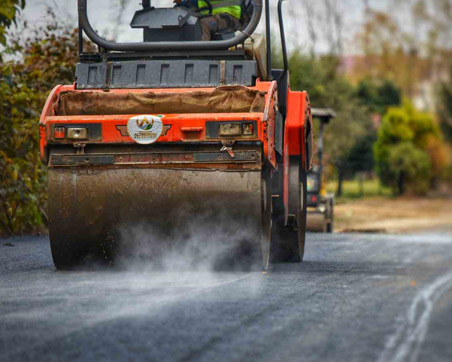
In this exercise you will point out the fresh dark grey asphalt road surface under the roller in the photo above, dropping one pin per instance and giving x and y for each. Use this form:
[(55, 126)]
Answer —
[(354, 298)]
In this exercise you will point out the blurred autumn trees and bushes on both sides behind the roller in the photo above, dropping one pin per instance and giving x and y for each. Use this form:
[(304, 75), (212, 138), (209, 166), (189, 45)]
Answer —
[(393, 99)]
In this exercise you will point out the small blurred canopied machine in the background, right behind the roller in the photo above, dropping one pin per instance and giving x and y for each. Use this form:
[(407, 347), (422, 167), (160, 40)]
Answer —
[(320, 203)]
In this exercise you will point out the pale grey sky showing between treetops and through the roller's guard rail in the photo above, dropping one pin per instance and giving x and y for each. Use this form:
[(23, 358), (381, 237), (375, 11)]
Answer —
[(103, 15)]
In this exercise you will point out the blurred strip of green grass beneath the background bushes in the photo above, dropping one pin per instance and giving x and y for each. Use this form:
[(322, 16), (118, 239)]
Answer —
[(351, 189)]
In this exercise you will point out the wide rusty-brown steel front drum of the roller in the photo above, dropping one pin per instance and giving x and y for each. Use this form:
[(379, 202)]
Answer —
[(95, 211)]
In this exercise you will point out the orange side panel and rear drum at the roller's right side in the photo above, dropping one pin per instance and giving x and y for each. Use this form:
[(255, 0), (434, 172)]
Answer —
[(288, 236)]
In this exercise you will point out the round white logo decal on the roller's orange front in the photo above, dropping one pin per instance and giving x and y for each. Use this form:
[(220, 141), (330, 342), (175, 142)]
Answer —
[(145, 129)]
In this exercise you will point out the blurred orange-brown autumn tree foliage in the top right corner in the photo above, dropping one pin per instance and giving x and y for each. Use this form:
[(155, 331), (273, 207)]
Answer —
[(410, 45)]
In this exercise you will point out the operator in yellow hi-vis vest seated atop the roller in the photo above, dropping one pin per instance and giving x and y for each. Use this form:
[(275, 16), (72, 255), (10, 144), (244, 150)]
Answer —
[(225, 15)]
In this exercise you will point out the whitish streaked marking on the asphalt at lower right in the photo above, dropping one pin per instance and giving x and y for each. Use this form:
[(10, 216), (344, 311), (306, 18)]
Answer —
[(405, 343)]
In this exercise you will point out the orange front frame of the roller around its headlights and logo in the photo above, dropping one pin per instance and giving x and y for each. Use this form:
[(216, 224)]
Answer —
[(184, 127)]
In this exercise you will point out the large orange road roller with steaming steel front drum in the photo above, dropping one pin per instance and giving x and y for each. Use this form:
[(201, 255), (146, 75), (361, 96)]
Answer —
[(174, 135)]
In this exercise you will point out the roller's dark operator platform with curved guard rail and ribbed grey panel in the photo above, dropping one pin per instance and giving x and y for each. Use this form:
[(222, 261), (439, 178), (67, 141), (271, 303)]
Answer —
[(172, 55)]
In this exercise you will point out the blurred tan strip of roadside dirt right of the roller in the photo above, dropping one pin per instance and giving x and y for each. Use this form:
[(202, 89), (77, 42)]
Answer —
[(404, 215)]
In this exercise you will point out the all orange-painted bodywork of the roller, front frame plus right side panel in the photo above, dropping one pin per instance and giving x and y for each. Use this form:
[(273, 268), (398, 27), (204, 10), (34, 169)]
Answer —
[(189, 128)]
